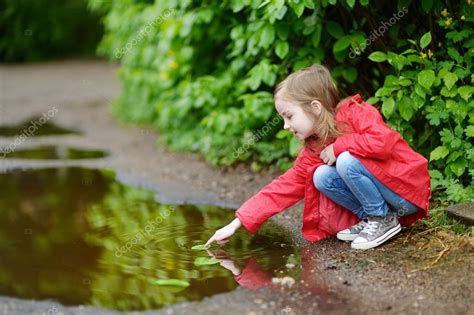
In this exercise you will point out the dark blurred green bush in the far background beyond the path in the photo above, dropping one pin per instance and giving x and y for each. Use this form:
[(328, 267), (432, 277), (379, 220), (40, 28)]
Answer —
[(46, 29)]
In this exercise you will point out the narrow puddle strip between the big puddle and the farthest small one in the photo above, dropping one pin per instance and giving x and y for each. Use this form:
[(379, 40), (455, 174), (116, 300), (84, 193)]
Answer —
[(50, 152)]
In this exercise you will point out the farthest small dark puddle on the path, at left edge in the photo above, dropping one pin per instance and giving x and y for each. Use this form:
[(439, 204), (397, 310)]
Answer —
[(35, 126)]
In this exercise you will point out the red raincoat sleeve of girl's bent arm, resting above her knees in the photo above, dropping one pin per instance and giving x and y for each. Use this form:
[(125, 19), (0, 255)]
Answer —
[(371, 136)]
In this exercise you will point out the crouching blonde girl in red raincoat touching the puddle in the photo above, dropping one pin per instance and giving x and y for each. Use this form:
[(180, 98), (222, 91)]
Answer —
[(358, 177)]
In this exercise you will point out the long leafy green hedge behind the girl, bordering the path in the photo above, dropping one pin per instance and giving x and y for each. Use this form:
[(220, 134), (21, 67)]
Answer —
[(203, 72)]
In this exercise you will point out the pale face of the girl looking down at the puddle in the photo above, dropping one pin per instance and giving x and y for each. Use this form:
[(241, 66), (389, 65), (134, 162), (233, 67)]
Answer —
[(296, 120)]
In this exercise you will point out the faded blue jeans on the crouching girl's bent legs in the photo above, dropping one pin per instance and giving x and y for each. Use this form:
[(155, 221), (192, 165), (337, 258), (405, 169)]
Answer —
[(352, 186)]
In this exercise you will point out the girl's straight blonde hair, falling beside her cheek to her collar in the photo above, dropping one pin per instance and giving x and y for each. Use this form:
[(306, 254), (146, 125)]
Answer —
[(309, 84)]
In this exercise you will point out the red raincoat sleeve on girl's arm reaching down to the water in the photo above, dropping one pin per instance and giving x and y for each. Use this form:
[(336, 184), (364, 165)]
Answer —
[(275, 197)]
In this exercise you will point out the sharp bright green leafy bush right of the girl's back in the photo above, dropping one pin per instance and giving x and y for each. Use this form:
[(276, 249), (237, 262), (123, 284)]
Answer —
[(428, 98)]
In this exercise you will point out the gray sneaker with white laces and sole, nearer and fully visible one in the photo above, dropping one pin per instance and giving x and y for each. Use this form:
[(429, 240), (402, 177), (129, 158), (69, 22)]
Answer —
[(377, 231)]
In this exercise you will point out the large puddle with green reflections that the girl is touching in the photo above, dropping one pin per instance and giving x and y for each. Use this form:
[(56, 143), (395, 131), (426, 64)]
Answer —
[(80, 237)]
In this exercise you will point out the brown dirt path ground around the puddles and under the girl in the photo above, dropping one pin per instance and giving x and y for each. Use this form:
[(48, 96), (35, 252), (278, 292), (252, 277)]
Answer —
[(421, 271)]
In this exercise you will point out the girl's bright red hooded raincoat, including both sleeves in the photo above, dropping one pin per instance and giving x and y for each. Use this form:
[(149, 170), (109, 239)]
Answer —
[(378, 147)]
